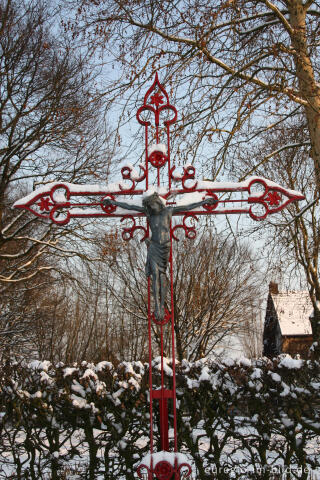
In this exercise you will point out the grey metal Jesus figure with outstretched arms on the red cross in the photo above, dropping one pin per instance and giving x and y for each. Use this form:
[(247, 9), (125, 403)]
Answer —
[(159, 218)]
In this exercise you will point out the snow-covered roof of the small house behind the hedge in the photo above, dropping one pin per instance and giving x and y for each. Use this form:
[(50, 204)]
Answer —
[(293, 310)]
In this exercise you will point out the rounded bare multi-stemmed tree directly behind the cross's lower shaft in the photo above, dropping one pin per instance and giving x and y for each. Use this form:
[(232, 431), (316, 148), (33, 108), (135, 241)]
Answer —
[(215, 280)]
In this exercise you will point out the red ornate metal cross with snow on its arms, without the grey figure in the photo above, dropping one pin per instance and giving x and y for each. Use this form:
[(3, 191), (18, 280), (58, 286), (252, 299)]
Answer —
[(60, 202)]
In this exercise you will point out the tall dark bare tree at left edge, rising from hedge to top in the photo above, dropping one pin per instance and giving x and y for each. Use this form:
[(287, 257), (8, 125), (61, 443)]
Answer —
[(51, 128)]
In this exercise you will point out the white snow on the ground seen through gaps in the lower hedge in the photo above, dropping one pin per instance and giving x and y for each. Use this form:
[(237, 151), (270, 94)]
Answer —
[(235, 460)]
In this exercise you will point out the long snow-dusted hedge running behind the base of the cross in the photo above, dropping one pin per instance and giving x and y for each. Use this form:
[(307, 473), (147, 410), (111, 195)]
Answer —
[(236, 419)]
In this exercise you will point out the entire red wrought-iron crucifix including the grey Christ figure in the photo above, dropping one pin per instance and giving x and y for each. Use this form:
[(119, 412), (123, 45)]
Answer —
[(157, 193)]
